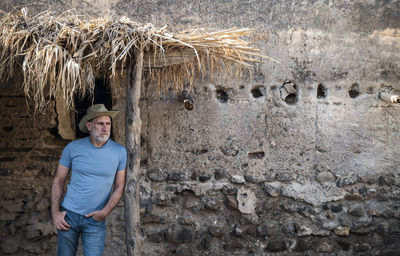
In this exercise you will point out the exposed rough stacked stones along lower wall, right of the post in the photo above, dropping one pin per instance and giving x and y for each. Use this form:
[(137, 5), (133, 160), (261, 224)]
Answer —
[(214, 213)]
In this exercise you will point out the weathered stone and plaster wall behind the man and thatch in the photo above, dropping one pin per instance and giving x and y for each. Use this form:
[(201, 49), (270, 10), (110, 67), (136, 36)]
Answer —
[(300, 157)]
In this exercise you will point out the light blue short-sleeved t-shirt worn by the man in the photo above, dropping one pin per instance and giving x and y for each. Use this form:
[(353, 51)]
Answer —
[(93, 172)]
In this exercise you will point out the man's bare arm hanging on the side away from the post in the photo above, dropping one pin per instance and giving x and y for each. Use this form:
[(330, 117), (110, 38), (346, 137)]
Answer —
[(57, 190)]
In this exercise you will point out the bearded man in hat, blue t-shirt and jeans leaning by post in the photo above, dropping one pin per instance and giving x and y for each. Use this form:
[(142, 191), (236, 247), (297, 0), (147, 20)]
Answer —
[(96, 163)]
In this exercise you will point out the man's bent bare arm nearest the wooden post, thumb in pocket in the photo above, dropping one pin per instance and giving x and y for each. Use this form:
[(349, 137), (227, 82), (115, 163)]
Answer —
[(116, 195)]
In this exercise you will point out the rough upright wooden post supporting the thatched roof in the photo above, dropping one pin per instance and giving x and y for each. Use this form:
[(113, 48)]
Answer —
[(133, 125)]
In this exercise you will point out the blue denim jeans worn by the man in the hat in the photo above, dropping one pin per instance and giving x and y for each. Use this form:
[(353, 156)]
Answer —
[(93, 235)]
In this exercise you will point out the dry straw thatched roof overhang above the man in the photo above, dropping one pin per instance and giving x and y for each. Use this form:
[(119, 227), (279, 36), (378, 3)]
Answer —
[(67, 52)]
